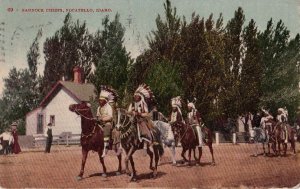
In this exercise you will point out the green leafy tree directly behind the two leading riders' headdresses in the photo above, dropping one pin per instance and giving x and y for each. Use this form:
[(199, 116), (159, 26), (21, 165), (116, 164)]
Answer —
[(111, 58)]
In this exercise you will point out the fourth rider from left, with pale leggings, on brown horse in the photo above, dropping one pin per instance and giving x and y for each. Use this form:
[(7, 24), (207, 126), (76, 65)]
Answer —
[(194, 120)]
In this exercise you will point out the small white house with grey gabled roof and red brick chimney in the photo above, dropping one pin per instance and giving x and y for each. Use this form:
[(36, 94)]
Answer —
[(54, 107)]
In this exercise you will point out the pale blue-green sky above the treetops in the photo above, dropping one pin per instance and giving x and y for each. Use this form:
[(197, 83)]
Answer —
[(18, 29)]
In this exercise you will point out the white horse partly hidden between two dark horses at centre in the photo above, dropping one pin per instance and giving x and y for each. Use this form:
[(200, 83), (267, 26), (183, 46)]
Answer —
[(167, 137)]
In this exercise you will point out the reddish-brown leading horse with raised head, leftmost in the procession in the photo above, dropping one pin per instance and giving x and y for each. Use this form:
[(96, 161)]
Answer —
[(91, 136)]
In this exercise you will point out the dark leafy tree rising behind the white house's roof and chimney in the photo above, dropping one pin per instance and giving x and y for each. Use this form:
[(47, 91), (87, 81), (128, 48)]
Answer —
[(70, 46)]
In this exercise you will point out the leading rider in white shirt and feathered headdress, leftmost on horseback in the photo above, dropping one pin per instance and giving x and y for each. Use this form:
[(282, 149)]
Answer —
[(105, 116)]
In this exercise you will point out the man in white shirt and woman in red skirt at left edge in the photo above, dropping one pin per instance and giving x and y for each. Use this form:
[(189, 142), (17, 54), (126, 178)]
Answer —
[(9, 140)]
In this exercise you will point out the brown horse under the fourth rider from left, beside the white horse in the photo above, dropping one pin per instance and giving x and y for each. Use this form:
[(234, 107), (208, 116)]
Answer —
[(186, 135)]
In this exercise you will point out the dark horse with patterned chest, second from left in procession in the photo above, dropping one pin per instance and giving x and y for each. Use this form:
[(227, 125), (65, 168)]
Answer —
[(130, 143)]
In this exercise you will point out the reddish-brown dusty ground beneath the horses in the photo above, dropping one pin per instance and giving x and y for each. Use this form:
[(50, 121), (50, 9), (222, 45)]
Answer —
[(234, 168)]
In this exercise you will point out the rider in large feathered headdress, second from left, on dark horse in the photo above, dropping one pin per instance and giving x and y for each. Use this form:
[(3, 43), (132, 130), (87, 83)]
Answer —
[(140, 109)]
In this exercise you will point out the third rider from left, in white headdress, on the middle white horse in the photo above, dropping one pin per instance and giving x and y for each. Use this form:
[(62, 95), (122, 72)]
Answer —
[(176, 115)]
